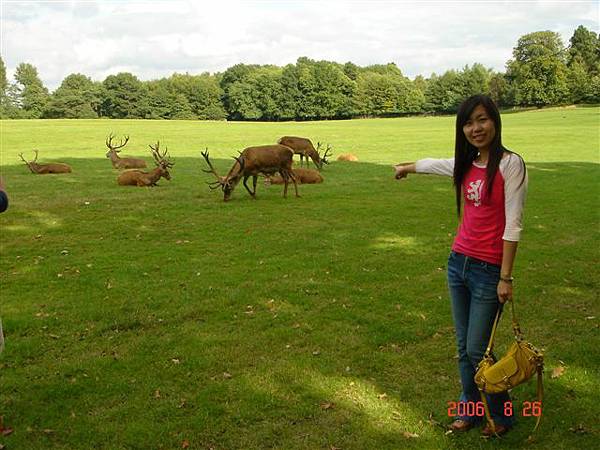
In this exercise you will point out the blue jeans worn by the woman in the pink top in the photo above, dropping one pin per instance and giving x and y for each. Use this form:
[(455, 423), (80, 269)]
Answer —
[(473, 285)]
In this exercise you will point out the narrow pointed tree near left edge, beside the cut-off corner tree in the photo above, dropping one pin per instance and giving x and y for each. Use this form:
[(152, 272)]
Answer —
[(30, 94)]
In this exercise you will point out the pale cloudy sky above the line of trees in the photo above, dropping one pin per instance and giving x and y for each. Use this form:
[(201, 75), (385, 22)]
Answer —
[(154, 39)]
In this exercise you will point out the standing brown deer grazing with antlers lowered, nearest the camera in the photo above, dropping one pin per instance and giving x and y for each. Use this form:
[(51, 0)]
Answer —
[(262, 159)]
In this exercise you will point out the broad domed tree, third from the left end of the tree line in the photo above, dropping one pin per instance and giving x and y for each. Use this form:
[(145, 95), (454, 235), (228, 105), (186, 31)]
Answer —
[(78, 97)]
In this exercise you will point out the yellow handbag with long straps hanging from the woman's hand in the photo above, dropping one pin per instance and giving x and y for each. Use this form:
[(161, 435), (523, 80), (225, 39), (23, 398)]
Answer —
[(521, 362)]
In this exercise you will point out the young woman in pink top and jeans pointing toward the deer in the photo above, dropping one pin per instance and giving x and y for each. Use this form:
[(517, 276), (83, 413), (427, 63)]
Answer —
[(490, 183)]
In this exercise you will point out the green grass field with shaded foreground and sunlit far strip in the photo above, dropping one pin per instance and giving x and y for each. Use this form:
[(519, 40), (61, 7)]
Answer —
[(165, 318)]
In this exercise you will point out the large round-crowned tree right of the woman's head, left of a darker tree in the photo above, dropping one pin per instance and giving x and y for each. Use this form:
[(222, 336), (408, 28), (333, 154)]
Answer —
[(538, 70)]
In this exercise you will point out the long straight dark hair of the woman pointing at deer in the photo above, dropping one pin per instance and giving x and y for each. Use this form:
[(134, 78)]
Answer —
[(465, 153)]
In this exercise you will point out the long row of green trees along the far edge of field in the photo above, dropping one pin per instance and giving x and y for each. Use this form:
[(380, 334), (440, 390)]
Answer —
[(541, 72)]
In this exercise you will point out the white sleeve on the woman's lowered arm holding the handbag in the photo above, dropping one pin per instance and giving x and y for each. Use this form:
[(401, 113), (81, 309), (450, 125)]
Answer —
[(514, 173)]
